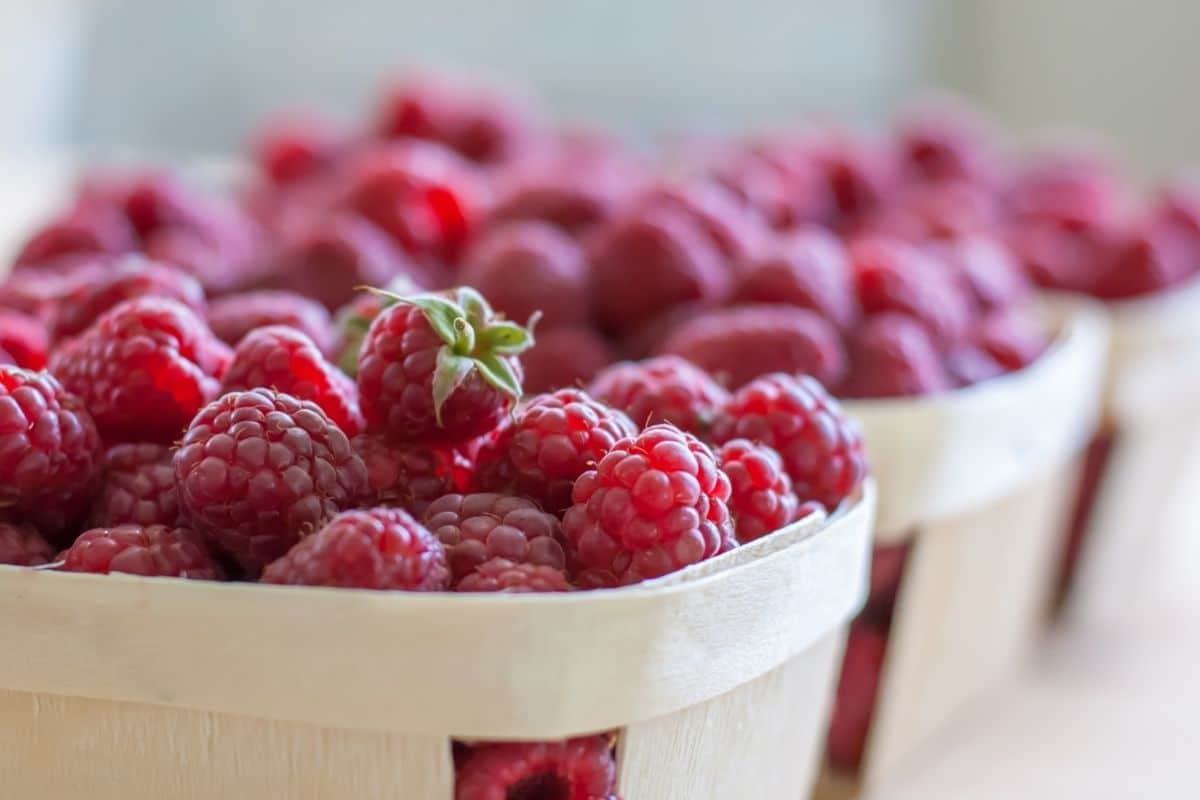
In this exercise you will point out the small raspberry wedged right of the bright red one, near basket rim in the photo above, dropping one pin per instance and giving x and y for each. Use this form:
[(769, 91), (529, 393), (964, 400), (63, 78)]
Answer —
[(763, 500)]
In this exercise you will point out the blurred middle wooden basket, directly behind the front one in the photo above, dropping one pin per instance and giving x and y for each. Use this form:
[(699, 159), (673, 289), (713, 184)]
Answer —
[(975, 489)]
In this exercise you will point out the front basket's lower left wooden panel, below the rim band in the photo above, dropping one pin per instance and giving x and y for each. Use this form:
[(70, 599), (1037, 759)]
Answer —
[(76, 749)]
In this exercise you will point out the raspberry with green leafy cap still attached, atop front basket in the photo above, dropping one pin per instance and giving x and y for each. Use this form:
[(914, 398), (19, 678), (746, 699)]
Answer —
[(440, 368)]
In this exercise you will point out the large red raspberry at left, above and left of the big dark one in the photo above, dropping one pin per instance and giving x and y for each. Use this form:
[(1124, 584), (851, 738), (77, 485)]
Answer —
[(143, 370)]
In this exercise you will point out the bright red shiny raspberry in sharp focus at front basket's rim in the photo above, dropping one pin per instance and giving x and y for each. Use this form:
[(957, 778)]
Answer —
[(655, 504)]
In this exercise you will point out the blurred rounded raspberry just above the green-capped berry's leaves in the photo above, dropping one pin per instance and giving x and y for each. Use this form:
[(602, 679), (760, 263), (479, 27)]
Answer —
[(530, 268)]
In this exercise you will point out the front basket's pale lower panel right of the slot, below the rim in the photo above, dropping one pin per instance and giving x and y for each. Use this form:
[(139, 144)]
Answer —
[(761, 741)]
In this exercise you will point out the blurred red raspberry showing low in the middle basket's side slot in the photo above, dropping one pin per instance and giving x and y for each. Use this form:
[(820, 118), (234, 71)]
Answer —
[(857, 689)]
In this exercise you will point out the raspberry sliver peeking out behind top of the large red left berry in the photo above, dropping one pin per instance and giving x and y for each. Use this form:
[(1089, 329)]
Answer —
[(129, 279)]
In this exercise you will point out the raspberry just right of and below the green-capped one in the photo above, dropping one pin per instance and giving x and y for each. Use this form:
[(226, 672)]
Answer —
[(554, 440)]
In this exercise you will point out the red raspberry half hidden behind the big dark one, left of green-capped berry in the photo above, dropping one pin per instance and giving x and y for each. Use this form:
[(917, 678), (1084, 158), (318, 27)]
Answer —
[(286, 360)]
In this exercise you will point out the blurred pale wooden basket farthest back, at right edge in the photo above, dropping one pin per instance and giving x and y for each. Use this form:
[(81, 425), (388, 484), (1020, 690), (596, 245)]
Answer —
[(1153, 412)]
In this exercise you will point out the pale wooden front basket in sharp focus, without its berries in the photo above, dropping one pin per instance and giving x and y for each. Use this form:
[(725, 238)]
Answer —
[(717, 679)]
